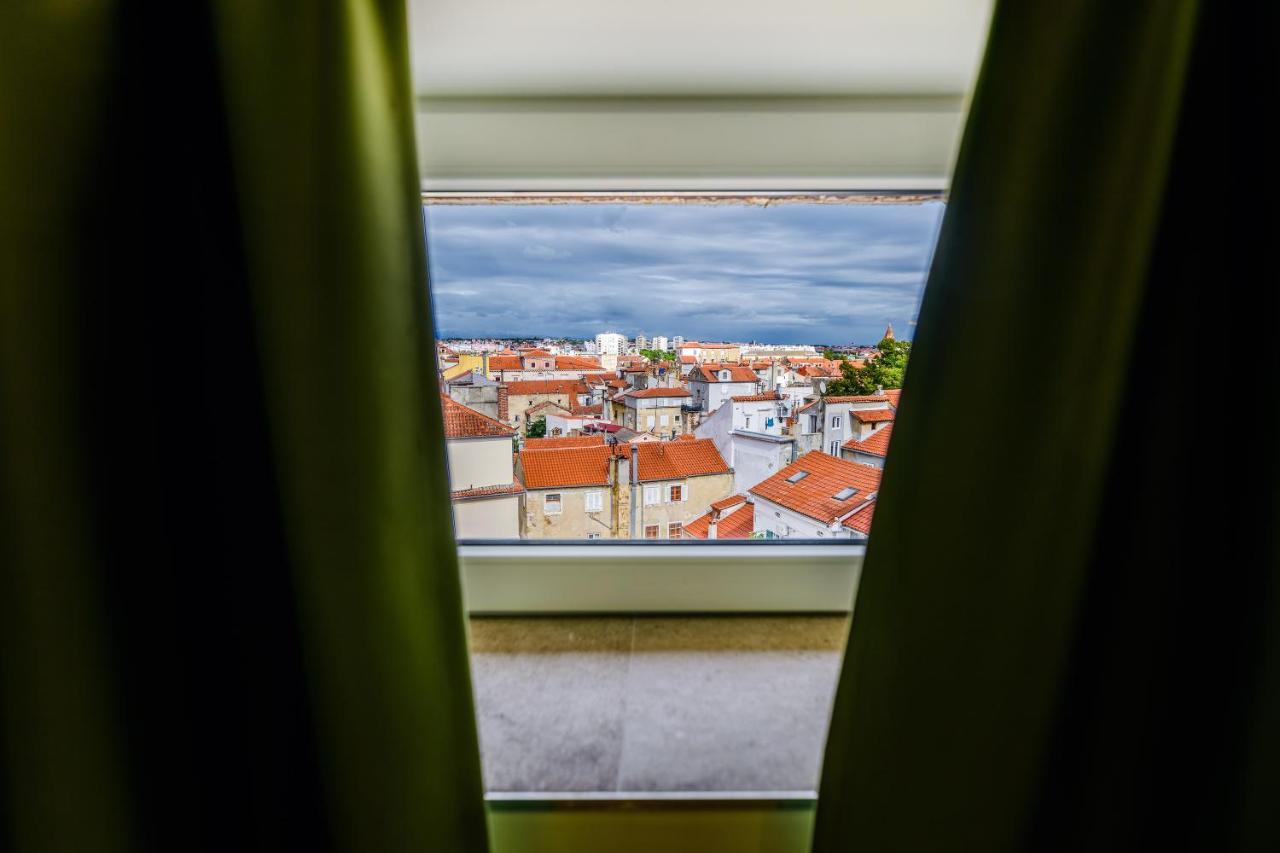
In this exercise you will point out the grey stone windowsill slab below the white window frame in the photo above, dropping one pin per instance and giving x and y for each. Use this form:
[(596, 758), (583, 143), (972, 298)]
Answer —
[(639, 709)]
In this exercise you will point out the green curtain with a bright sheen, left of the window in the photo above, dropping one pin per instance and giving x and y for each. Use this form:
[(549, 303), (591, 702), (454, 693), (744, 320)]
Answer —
[(230, 606)]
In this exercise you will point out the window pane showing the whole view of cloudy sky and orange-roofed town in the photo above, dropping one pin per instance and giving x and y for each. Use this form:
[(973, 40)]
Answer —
[(633, 370)]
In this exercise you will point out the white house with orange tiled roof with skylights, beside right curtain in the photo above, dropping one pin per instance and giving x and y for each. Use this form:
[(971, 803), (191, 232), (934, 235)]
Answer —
[(817, 498)]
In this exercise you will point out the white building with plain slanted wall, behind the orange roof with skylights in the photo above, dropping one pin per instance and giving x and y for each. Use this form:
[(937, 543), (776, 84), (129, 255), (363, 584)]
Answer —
[(749, 436)]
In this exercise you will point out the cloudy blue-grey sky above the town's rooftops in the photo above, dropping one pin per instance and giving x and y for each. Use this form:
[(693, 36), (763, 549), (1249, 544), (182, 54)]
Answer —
[(783, 275)]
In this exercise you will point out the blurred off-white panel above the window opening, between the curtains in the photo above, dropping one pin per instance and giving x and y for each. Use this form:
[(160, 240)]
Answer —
[(666, 94)]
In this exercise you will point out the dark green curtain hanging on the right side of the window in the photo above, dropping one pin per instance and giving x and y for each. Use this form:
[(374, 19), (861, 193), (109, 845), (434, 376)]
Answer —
[(1067, 631)]
